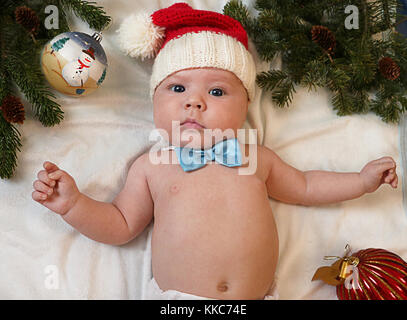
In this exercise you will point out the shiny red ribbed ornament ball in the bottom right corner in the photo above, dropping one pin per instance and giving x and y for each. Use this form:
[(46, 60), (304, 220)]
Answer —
[(382, 275)]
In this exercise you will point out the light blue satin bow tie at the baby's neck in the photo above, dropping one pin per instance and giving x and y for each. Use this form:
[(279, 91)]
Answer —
[(226, 152)]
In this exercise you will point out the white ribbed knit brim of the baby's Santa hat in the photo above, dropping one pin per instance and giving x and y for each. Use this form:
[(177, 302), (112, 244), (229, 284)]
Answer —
[(204, 49)]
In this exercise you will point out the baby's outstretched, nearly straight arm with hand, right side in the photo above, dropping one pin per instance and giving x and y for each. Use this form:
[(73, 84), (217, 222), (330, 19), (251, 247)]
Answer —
[(317, 187)]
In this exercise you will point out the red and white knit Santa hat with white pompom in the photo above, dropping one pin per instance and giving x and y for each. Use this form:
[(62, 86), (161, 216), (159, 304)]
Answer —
[(180, 37)]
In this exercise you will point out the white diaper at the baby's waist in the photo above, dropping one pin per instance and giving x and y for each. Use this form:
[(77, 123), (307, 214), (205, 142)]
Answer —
[(153, 292)]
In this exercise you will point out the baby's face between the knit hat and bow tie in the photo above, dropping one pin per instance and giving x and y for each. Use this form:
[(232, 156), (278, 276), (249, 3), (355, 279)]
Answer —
[(213, 98)]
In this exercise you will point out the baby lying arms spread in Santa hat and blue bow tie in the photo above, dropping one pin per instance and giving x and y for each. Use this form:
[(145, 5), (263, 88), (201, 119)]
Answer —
[(214, 234)]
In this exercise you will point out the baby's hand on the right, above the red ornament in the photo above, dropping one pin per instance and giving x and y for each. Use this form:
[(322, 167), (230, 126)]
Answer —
[(377, 172)]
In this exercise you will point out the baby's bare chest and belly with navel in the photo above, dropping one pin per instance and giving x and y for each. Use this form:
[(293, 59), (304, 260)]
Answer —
[(219, 243)]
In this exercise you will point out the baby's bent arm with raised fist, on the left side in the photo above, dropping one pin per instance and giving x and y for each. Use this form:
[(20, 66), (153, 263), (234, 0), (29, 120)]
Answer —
[(113, 223)]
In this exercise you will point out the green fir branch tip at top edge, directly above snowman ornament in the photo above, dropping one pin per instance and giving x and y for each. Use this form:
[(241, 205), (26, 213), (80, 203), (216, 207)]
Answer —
[(88, 11)]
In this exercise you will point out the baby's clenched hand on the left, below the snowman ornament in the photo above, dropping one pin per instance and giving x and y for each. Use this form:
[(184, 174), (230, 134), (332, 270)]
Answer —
[(55, 189)]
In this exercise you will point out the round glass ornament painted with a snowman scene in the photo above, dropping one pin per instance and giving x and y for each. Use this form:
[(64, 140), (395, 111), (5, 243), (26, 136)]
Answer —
[(74, 63)]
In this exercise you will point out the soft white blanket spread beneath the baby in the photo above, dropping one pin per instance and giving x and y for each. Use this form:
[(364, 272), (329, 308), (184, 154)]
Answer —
[(42, 257)]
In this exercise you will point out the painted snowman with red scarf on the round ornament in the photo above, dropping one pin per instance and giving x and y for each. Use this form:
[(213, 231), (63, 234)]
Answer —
[(76, 72)]
